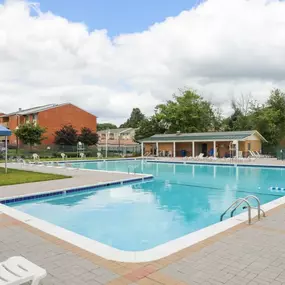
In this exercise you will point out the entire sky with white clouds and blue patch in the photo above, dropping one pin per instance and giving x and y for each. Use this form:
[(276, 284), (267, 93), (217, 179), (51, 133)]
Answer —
[(108, 65)]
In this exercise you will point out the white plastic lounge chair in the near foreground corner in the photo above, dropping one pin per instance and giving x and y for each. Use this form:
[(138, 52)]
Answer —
[(18, 270)]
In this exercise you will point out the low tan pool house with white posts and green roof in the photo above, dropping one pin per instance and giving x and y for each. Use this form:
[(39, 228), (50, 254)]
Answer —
[(215, 144)]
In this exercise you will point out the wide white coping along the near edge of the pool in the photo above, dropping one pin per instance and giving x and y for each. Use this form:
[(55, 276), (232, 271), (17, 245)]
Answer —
[(152, 254)]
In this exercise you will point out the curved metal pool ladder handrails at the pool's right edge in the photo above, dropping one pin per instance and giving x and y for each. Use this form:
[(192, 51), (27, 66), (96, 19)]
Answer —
[(237, 203)]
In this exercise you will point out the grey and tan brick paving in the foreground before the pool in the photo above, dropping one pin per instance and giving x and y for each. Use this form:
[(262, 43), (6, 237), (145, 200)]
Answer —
[(246, 254)]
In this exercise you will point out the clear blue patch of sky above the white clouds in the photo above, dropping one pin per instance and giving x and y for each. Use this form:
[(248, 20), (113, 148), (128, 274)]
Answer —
[(117, 17)]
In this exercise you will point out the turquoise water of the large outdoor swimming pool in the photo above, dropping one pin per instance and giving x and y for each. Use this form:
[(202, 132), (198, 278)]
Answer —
[(181, 199)]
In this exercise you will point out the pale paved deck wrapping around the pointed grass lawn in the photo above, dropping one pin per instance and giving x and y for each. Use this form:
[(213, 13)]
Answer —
[(79, 178)]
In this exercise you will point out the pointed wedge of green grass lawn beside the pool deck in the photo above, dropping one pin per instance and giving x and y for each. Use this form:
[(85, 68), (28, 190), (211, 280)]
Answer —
[(20, 176)]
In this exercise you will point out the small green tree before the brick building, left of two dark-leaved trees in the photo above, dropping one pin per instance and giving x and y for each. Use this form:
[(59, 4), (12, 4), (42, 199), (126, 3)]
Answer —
[(30, 134)]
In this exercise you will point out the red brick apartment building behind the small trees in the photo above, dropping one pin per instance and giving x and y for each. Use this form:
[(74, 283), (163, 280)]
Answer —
[(52, 117)]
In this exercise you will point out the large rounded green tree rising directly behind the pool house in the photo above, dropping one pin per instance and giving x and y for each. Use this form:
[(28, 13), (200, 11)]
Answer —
[(188, 113)]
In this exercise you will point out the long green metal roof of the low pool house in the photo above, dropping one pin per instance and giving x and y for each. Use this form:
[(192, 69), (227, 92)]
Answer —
[(227, 136)]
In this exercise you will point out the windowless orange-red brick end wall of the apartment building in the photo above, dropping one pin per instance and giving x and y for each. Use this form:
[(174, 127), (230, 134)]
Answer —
[(54, 119)]
